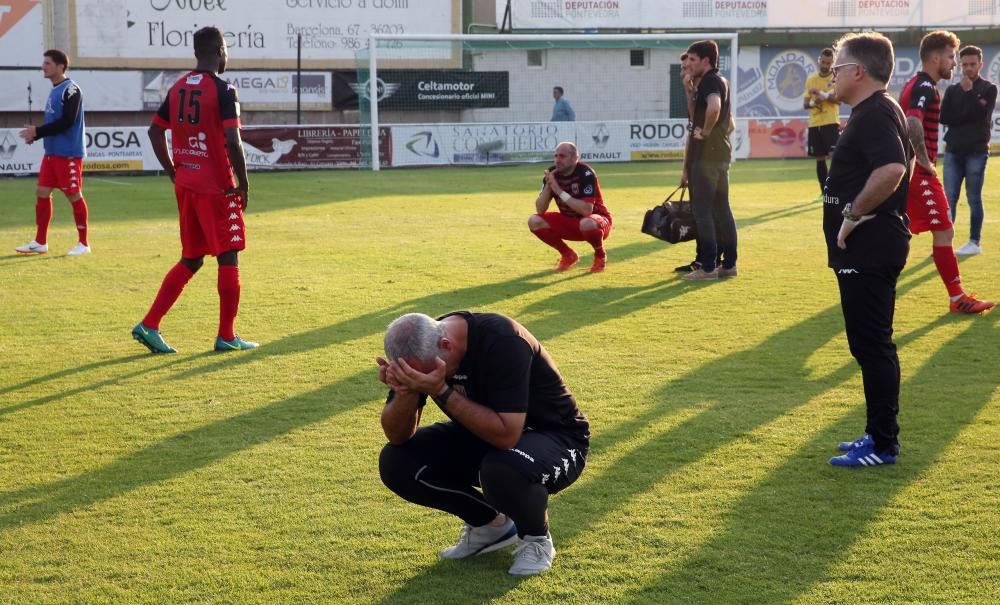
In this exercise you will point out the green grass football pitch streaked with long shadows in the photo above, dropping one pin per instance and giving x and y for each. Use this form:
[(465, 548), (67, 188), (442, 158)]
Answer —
[(252, 477)]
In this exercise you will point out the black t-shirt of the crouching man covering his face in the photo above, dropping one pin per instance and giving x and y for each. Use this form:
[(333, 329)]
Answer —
[(507, 370)]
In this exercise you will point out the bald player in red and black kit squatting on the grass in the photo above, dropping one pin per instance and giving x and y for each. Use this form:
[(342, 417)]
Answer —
[(582, 214)]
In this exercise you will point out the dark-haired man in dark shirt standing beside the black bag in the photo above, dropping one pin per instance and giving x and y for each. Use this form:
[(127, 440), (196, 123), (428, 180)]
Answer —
[(708, 154)]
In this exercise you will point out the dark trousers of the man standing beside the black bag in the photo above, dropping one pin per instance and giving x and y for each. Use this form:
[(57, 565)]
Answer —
[(709, 183)]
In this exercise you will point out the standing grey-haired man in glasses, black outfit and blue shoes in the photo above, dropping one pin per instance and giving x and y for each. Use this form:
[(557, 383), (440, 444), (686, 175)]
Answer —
[(865, 226)]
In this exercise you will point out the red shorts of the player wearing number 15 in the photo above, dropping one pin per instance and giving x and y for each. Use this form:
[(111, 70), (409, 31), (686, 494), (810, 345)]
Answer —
[(211, 223)]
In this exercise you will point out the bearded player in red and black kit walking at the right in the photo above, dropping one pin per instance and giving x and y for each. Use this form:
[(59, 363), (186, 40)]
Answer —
[(927, 205)]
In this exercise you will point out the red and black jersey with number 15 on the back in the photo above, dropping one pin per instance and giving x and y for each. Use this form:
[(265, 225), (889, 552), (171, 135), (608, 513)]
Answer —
[(198, 110)]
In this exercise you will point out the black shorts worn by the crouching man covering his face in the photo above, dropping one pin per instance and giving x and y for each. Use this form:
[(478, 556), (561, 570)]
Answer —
[(555, 460)]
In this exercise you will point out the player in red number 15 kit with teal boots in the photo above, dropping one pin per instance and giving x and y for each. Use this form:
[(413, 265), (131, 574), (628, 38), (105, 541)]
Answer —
[(202, 113)]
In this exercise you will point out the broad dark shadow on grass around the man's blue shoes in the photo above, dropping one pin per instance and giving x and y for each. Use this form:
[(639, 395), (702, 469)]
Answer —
[(779, 562)]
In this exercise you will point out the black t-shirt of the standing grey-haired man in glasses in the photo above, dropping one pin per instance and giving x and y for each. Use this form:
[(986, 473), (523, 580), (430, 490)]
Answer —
[(875, 136)]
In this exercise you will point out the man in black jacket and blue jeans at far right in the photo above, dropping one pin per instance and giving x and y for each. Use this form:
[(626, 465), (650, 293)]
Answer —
[(967, 111)]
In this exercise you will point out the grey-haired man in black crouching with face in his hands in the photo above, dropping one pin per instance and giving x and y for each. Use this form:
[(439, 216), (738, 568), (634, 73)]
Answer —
[(514, 430)]
